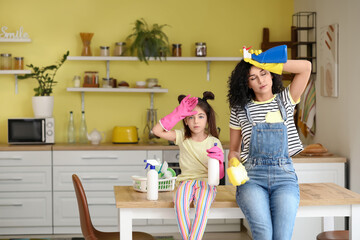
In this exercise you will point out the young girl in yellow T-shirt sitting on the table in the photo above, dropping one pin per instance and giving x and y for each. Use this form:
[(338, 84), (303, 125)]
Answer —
[(196, 143)]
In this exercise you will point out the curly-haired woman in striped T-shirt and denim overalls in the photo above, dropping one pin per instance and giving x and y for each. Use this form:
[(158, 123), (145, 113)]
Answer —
[(264, 137)]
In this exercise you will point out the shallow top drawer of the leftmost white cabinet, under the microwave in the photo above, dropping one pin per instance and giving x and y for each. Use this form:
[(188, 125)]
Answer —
[(25, 158)]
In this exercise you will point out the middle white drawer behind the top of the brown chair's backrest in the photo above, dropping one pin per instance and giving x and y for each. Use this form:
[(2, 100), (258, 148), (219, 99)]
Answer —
[(95, 177)]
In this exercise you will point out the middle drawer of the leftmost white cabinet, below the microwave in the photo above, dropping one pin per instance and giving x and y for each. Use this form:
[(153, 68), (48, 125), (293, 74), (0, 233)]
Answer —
[(14, 179)]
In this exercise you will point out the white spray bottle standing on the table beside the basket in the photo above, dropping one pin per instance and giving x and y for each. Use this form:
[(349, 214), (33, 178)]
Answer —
[(152, 182)]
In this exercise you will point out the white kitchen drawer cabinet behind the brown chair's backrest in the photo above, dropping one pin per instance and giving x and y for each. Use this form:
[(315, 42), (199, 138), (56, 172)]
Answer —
[(99, 172)]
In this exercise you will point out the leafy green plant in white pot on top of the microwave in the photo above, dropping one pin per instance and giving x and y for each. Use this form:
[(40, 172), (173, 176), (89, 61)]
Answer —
[(42, 101)]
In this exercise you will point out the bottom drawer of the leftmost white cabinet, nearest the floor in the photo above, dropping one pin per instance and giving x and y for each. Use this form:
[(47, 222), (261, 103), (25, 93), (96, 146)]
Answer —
[(25, 209)]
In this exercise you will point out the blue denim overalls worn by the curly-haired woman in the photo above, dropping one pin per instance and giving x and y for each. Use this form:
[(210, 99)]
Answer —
[(269, 200)]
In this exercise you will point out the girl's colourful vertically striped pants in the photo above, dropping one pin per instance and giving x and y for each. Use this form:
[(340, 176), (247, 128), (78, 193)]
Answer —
[(203, 195)]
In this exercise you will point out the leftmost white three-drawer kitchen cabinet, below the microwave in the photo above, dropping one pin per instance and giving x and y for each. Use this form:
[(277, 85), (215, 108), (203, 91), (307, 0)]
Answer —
[(25, 192)]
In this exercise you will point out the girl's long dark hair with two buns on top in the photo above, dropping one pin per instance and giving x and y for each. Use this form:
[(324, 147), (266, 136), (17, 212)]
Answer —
[(210, 114)]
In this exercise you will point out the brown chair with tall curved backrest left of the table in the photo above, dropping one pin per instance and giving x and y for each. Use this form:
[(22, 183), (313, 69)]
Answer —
[(87, 228)]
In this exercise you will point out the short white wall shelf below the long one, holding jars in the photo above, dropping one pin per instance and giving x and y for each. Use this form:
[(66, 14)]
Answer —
[(129, 90)]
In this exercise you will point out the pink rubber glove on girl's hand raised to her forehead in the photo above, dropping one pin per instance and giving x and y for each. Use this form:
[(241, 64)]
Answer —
[(182, 111)]
